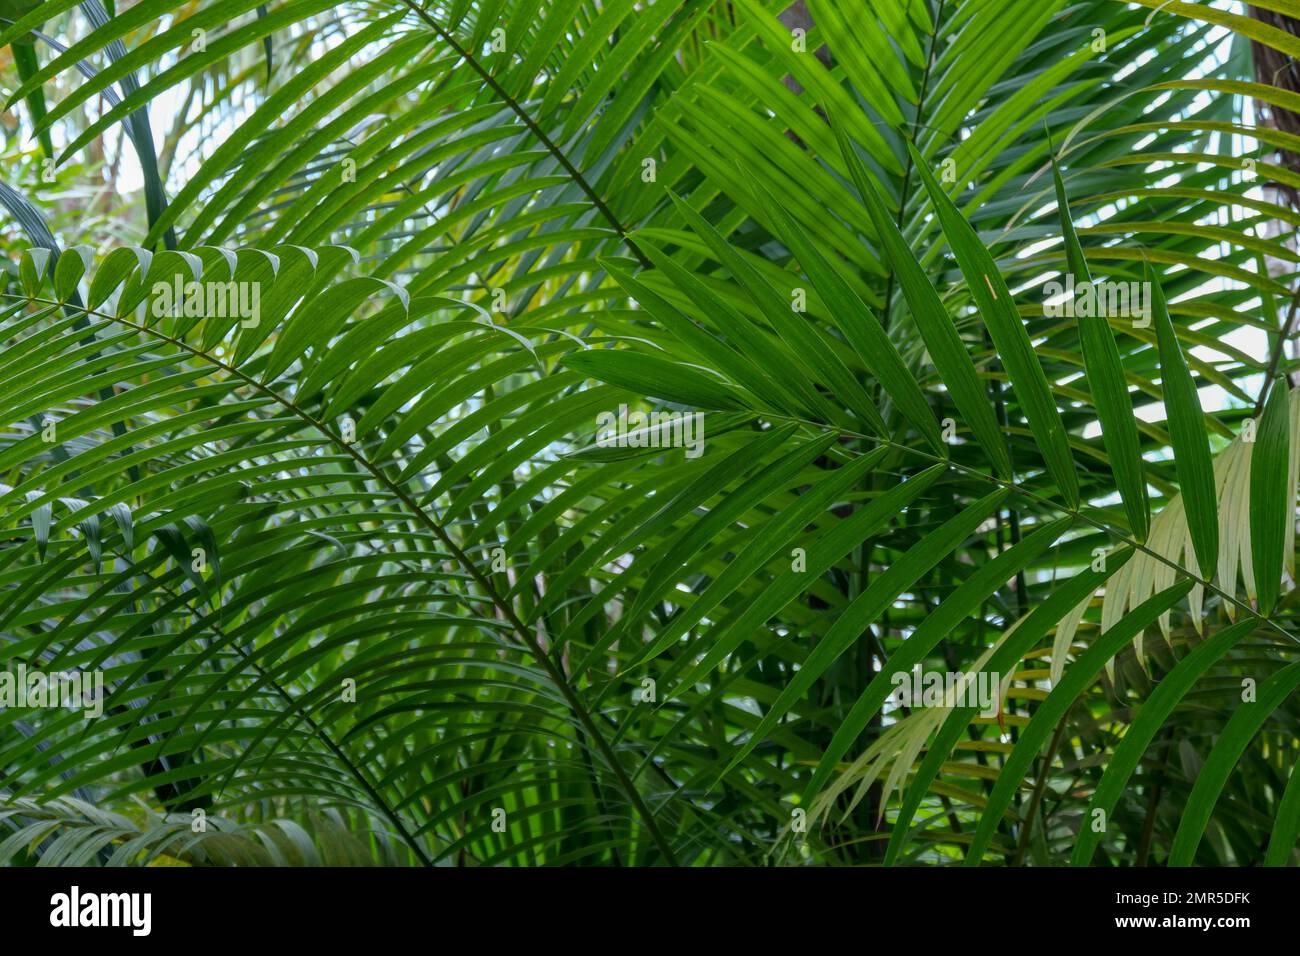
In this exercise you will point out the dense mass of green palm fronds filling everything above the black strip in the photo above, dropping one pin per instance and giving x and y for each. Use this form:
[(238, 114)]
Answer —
[(366, 579)]
